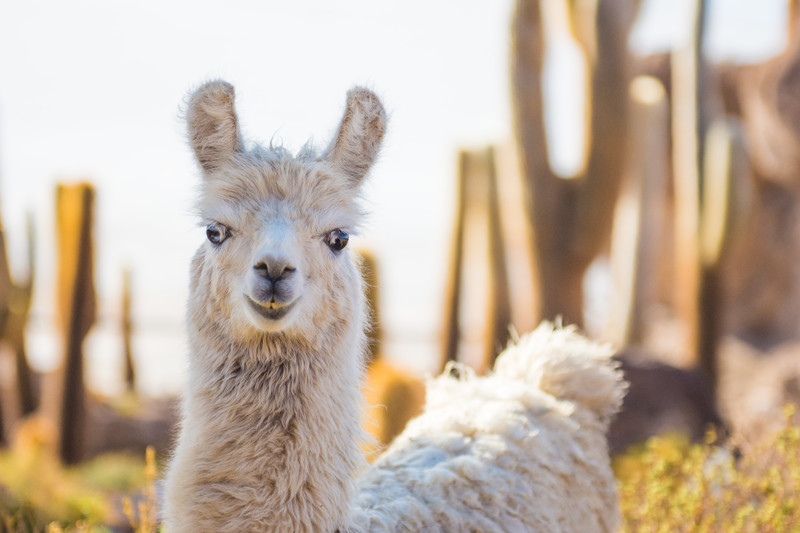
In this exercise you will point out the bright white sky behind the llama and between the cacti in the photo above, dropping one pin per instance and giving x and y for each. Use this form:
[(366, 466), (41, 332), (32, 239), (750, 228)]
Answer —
[(93, 90)]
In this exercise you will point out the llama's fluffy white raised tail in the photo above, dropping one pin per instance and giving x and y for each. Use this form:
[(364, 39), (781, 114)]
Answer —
[(561, 362)]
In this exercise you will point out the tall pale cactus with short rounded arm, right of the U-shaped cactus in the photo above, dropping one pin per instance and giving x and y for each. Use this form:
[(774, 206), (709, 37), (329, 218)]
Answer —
[(713, 193)]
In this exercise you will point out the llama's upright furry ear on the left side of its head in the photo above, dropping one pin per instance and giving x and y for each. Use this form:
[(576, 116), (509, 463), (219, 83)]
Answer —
[(213, 125)]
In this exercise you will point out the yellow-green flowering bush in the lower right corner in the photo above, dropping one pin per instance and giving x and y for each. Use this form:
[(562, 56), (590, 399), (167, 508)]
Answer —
[(669, 485)]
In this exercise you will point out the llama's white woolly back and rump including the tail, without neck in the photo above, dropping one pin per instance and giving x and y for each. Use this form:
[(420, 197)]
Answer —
[(523, 449)]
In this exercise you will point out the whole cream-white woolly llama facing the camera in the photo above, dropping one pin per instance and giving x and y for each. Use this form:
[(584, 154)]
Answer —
[(270, 435)]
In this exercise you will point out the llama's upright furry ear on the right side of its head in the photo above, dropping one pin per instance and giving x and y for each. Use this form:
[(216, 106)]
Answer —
[(358, 140)]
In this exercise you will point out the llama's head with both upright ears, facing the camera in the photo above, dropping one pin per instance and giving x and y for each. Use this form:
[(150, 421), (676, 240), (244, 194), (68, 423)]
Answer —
[(275, 258)]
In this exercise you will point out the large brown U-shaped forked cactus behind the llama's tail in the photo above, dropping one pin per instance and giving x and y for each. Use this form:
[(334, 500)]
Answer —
[(571, 218)]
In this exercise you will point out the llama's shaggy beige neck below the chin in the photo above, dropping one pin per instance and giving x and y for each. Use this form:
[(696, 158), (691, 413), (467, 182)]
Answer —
[(271, 433)]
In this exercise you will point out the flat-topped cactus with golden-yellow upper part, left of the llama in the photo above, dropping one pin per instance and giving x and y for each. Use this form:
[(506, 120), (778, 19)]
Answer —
[(76, 307)]
